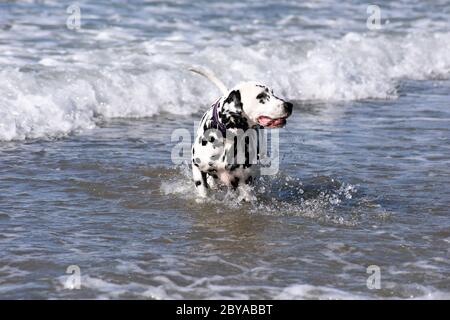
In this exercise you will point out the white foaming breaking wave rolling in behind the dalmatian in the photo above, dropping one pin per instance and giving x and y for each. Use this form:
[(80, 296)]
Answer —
[(68, 93)]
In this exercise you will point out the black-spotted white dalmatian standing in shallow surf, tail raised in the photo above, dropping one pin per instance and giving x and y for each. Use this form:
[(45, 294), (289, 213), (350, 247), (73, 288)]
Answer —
[(231, 124)]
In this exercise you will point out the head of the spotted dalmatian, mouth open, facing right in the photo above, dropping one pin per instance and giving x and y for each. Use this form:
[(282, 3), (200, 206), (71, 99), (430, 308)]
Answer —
[(254, 103)]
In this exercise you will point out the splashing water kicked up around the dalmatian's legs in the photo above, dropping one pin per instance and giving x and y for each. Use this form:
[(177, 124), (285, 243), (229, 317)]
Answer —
[(323, 199)]
